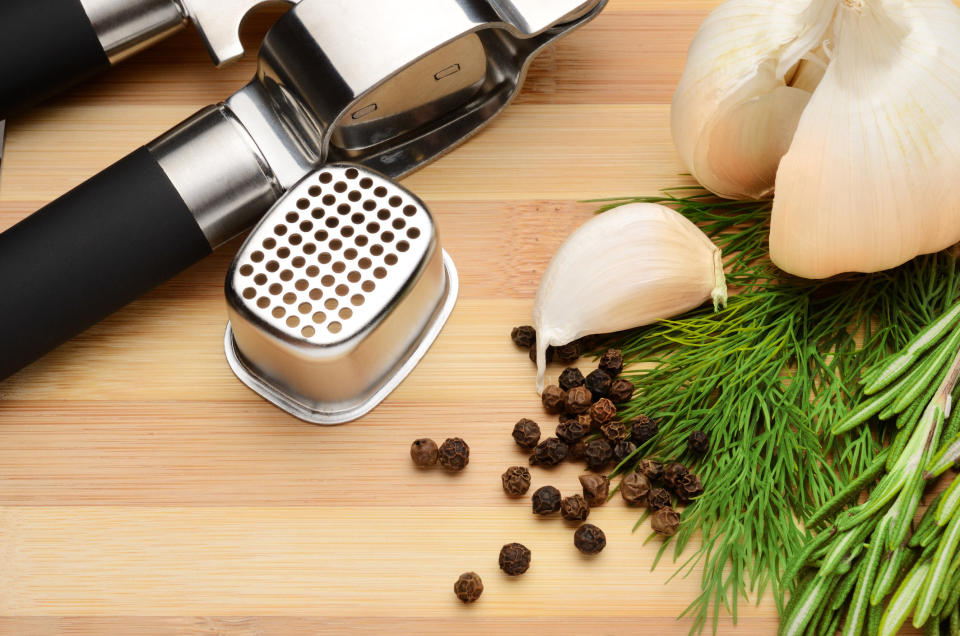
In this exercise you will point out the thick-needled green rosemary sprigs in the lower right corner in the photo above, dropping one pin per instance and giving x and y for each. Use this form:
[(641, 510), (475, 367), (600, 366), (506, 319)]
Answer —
[(917, 375)]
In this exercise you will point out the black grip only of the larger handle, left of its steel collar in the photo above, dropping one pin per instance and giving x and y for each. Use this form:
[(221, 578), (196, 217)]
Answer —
[(89, 253)]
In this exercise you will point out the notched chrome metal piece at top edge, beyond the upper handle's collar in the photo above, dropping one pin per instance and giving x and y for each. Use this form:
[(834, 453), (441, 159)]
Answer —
[(219, 24)]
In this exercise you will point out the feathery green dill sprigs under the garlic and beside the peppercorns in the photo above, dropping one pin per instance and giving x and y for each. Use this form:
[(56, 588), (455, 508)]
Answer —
[(765, 379)]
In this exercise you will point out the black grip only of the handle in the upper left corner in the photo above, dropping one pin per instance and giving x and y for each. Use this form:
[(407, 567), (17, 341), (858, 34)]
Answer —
[(46, 46)]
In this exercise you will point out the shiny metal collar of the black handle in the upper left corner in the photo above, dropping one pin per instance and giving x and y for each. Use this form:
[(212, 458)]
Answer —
[(126, 27)]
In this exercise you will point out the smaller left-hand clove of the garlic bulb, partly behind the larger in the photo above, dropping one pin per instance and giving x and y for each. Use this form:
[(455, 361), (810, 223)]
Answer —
[(734, 114)]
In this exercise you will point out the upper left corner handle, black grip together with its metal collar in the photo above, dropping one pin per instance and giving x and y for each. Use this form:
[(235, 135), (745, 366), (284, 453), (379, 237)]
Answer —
[(47, 46)]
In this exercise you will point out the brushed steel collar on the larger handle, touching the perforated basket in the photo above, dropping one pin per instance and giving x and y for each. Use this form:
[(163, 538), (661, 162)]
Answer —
[(218, 171)]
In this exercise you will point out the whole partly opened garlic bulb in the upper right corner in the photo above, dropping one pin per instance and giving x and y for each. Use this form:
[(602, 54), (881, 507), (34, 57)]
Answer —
[(848, 107)]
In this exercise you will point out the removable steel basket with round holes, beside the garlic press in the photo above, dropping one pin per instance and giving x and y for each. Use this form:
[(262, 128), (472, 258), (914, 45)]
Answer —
[(337, 294)]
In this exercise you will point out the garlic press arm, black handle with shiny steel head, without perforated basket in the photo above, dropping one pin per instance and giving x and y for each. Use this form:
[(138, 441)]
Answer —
[(387, 85)]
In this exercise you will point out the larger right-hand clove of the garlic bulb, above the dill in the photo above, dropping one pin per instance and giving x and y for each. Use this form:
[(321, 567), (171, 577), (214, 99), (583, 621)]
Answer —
[(872, 176)]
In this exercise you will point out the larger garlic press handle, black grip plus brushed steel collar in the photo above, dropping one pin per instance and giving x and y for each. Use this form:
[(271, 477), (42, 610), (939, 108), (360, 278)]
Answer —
[(125, 231)]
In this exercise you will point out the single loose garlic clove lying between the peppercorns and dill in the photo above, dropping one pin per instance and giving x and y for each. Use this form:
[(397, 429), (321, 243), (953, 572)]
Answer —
[(628, 267)]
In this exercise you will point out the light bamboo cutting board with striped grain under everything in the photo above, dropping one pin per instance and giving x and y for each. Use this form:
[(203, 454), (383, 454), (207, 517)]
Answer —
[(144, 490)]
